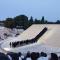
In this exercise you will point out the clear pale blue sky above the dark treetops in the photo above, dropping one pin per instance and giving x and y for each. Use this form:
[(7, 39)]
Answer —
[(50, 9)]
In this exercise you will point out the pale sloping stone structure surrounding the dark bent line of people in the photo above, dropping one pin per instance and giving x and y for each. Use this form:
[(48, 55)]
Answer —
[(48, 42)]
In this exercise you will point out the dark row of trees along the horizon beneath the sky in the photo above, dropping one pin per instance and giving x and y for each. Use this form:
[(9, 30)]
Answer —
[(22, 21)]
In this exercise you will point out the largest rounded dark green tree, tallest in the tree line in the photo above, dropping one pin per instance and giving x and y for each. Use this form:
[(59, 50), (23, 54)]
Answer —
[(21, 20)]
